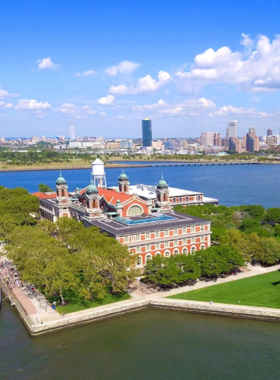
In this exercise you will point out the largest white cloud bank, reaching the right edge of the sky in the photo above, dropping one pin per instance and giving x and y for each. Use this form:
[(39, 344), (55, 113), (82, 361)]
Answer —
[(260, 71)]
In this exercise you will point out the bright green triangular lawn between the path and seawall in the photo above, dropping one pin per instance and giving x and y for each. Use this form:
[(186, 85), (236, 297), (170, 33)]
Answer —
[(262, 290)]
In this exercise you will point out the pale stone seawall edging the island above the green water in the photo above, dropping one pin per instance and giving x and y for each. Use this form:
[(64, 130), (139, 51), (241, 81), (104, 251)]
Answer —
[(130, 306)]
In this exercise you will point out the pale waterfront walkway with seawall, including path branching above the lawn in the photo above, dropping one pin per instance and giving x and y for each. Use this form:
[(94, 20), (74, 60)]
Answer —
[(40, 318)]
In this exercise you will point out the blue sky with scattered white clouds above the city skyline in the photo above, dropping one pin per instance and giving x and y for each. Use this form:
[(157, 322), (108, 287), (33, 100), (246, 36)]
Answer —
[(190, 66)]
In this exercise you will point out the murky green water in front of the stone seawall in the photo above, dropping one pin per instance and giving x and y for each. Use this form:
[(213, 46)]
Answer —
[(152, 344)]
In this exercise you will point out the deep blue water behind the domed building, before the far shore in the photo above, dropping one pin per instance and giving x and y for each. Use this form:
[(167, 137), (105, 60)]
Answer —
[(231, 184)]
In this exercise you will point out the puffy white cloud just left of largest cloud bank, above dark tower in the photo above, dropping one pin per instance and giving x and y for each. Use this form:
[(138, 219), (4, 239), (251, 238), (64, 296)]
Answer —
[(145, 85)]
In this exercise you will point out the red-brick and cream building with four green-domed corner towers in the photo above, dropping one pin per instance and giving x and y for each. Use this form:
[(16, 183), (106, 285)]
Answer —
[(148, 226)]
